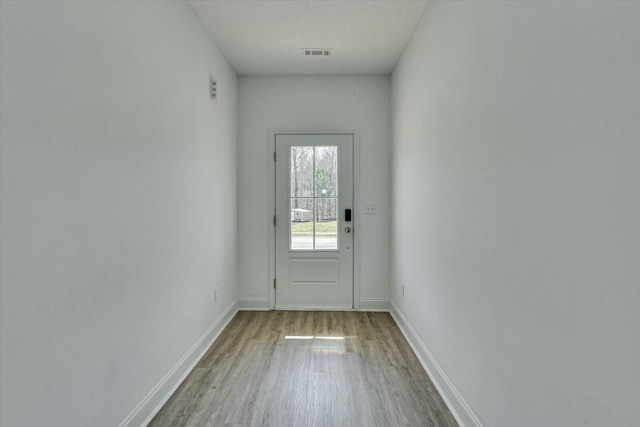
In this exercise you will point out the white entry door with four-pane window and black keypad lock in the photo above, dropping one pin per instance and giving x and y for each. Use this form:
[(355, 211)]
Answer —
[(314, 222)]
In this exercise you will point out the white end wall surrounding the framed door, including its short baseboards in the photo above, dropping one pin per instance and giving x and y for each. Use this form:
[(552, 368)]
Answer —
[(313, 103)]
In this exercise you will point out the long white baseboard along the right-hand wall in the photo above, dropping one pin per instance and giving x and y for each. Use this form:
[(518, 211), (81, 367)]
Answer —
[(456, 404)]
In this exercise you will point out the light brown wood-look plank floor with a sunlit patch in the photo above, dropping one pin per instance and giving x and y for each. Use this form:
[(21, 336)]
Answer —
[(253, 375)]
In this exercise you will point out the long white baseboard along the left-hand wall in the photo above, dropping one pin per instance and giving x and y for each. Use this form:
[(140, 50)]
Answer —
[(158, 396)]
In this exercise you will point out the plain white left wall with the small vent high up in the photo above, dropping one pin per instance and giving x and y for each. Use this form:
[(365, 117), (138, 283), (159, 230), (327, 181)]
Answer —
[(118, 190)]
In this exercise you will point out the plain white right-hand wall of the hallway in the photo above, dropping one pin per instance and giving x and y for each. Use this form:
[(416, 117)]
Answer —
[(516, 206)]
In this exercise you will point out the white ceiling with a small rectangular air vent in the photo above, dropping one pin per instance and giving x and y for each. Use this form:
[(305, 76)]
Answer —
[(267, 37)]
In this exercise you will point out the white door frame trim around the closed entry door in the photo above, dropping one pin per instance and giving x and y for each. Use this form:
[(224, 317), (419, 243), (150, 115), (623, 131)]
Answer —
[(272, 207)]
